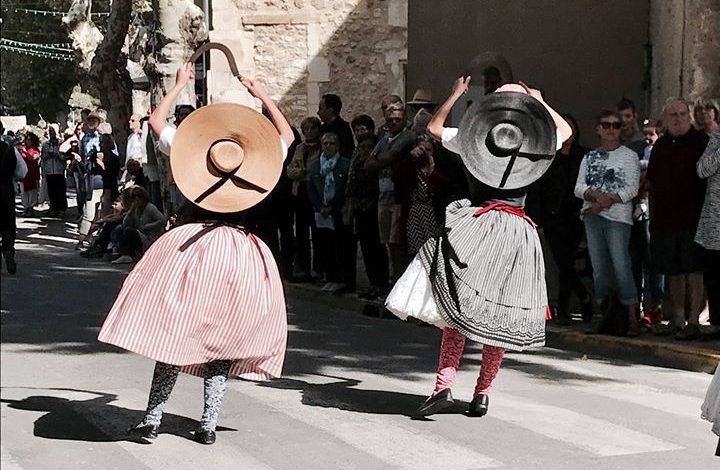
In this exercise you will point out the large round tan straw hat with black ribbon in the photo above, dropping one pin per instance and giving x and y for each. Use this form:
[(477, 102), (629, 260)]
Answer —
[(226, 157)]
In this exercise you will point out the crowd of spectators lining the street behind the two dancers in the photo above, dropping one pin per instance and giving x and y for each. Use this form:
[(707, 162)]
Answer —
[(644, 201)]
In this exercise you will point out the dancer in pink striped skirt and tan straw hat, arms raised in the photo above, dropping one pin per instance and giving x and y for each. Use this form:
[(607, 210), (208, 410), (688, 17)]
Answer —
[(207, 299)]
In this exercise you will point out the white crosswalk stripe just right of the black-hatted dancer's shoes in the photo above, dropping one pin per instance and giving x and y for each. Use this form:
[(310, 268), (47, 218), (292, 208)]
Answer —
[(591, 434)]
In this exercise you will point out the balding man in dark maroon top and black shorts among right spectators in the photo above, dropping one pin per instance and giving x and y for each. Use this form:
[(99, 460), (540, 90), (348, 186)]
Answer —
[(676, 199)]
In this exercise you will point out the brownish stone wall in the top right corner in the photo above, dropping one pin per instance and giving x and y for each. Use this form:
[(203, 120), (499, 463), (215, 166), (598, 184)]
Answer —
[(685, 38)]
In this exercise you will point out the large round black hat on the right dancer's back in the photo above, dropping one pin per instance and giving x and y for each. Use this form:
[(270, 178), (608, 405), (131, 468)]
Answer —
[(507, 139)]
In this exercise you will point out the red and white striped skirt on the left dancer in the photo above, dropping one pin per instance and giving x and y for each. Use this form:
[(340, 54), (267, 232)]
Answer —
[(220, 298)]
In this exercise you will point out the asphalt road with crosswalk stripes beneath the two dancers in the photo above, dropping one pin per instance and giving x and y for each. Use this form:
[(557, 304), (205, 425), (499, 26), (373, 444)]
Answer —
[(349, 388)]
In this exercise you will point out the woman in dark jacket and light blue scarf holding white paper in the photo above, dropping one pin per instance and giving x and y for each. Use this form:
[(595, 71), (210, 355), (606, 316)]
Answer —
[(326, 190)]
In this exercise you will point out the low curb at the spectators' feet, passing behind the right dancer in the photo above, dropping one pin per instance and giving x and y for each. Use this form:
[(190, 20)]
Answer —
[(636, 350)]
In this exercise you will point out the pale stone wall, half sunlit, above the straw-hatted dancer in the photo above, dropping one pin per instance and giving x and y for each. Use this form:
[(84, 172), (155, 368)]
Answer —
[(301, 49)]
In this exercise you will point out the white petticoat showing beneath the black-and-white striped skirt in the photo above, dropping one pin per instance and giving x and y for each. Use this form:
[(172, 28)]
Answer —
[(412, 296)]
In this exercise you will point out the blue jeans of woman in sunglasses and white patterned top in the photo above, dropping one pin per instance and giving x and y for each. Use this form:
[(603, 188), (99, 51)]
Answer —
[(609, 248)]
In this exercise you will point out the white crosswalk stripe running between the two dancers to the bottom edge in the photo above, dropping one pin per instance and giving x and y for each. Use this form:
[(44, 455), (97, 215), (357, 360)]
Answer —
[(384, 436)]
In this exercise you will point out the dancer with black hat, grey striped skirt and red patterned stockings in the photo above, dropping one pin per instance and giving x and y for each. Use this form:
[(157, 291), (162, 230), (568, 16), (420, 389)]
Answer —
[(483, 277)]
